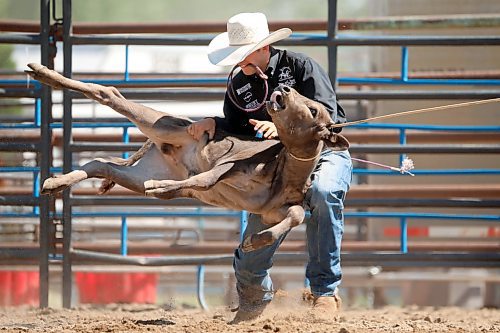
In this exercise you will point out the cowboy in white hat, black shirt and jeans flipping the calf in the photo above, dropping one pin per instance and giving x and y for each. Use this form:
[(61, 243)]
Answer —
[(262, 68)]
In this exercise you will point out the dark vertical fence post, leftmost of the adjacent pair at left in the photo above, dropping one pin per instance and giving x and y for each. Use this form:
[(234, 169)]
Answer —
[(45, 152)]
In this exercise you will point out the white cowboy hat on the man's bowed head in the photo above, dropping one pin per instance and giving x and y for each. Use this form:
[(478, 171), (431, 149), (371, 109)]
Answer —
[(246, 33)]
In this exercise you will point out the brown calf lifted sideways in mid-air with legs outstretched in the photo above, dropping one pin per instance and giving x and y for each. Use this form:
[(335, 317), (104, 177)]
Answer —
[(266, 177)]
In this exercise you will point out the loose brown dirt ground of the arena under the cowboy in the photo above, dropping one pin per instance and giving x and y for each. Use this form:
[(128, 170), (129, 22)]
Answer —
[(283, 317)]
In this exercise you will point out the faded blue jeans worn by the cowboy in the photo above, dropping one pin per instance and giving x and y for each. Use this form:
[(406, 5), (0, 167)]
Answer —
[(325, 200)]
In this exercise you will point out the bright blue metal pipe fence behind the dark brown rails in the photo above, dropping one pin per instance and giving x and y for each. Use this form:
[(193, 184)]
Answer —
[(402, 140)]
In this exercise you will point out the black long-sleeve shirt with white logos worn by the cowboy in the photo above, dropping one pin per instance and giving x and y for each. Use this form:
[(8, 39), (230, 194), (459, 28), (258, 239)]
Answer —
[(293, 69)]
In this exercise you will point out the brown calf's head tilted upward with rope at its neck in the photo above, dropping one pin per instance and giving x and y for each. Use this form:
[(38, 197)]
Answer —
[(302, 122)]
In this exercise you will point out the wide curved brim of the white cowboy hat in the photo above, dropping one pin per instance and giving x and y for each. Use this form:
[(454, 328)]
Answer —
[(220, 53)]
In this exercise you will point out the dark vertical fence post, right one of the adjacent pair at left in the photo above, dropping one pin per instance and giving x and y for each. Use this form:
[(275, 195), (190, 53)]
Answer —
[(67, 157)]
